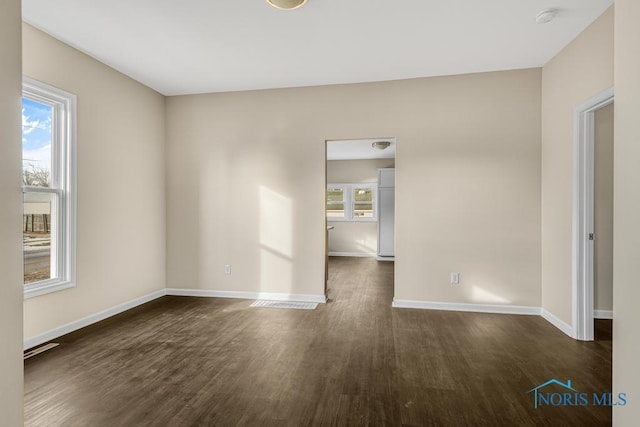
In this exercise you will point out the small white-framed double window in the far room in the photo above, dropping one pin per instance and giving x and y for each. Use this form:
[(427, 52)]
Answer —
[(351, 202)]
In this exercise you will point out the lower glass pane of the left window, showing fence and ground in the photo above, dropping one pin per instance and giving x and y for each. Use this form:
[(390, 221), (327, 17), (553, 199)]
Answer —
[(37, 224)]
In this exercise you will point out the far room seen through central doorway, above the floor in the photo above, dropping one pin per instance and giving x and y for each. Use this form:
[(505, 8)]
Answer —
[(360, 201)]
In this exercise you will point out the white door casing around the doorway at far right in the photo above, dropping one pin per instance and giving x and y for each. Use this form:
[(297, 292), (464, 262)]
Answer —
[(582, 254)]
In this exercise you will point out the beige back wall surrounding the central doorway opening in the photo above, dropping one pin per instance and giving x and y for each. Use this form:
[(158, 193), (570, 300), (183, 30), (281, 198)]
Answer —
[(246, 177)]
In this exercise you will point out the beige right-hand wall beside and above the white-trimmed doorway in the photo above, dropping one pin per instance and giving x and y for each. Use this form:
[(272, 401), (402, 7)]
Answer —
[(580, 71)]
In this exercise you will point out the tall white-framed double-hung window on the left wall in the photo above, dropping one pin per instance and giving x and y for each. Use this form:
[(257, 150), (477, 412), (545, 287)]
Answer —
[(48, 186)]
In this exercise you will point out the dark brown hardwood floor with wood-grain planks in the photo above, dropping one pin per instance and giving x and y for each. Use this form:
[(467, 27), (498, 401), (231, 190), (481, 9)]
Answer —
[(182, 361)]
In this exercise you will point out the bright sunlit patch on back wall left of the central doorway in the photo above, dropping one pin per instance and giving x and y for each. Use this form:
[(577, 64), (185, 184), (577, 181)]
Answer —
[(276, 241)]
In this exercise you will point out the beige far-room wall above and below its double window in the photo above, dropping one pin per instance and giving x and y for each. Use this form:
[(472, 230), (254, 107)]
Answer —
[(354, 237)]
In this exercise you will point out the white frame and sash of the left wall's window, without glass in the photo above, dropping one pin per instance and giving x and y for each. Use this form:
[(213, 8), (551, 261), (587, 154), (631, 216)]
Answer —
[(63, 185)]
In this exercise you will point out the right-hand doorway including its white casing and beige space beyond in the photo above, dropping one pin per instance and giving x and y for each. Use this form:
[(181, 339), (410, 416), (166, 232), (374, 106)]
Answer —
[(593, 217)]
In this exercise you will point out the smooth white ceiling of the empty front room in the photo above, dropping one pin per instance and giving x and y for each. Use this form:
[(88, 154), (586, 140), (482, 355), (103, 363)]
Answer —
[(198, 46)]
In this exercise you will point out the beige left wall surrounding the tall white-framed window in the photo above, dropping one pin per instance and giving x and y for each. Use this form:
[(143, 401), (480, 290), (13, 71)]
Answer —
[(121, 184)]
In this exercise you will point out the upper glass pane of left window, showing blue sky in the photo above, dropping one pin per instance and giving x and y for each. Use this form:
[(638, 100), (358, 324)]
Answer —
[(36, 143)]
